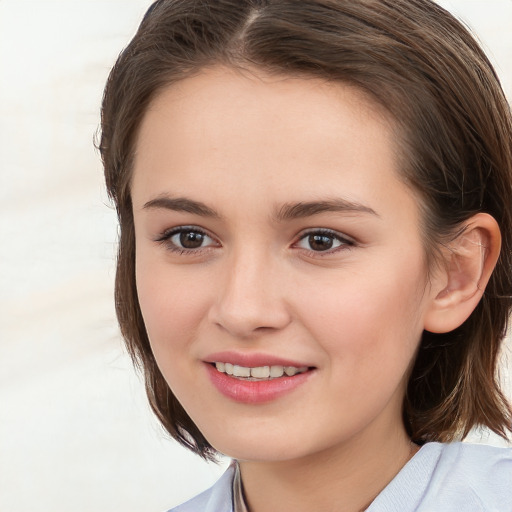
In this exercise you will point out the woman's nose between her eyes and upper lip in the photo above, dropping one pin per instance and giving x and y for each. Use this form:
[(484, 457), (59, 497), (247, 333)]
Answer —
[(250, 298)]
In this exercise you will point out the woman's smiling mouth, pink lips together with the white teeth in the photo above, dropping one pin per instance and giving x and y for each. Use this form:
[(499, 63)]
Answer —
[(255, 378)]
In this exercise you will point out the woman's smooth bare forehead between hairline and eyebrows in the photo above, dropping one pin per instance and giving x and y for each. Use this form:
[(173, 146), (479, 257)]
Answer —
[(273, 131)]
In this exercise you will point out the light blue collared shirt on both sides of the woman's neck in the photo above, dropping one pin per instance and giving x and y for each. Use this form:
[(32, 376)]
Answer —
[(455, 477)]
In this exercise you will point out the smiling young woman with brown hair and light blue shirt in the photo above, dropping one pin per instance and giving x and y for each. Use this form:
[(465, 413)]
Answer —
[(315, 257)]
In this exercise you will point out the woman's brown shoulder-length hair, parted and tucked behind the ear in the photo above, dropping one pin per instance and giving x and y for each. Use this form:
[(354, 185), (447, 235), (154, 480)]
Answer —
[(454, 130)]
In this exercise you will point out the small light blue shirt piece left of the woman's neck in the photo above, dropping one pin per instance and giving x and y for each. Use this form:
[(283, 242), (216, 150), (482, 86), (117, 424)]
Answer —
[(217, 498)]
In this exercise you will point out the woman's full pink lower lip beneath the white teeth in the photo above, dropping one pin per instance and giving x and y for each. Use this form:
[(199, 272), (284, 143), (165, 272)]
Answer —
[(255, 392)]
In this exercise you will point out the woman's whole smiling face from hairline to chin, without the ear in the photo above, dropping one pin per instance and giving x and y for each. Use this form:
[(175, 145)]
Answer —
[(276, 241)]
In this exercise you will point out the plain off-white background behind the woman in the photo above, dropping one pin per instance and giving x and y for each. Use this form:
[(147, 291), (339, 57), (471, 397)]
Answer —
[(75, 430)]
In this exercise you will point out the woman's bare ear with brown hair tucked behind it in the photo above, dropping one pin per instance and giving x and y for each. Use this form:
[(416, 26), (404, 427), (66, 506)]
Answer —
[(460, 281)]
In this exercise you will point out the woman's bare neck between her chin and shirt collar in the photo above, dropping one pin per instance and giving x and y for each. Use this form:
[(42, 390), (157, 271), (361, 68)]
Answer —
[(345, 478)]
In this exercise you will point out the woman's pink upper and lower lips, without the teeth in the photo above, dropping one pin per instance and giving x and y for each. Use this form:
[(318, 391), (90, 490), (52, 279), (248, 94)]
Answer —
[(254, 392)]
